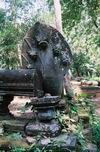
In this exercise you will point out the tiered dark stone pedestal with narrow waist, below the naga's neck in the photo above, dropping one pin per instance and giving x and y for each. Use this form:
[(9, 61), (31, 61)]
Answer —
[(45, 123)]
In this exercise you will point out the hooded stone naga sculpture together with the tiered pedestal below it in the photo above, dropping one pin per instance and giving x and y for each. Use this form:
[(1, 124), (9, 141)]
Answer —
[(46, 50)]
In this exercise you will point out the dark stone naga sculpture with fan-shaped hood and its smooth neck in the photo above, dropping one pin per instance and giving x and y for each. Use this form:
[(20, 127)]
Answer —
[(46, 50)]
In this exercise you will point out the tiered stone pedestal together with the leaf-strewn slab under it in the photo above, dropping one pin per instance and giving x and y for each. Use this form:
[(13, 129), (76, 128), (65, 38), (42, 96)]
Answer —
[(47, 128)]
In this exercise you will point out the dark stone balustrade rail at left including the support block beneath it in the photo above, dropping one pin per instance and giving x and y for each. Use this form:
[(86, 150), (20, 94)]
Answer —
[(16, 82)]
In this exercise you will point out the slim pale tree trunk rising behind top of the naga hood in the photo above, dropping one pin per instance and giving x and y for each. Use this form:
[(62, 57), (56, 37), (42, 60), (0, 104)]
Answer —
[(58, 17)]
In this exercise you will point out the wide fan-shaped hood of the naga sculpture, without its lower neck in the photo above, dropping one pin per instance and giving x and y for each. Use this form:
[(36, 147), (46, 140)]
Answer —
[(44, 42)]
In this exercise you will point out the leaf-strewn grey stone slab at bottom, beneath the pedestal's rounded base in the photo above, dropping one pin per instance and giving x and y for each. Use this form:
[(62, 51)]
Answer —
[(62, 143)]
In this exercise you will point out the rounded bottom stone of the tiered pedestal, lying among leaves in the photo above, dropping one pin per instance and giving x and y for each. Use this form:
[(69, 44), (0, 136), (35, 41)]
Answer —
[(52, 128)]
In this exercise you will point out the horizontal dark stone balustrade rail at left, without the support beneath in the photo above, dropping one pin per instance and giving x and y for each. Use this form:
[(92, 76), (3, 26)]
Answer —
[(20, 82)]
